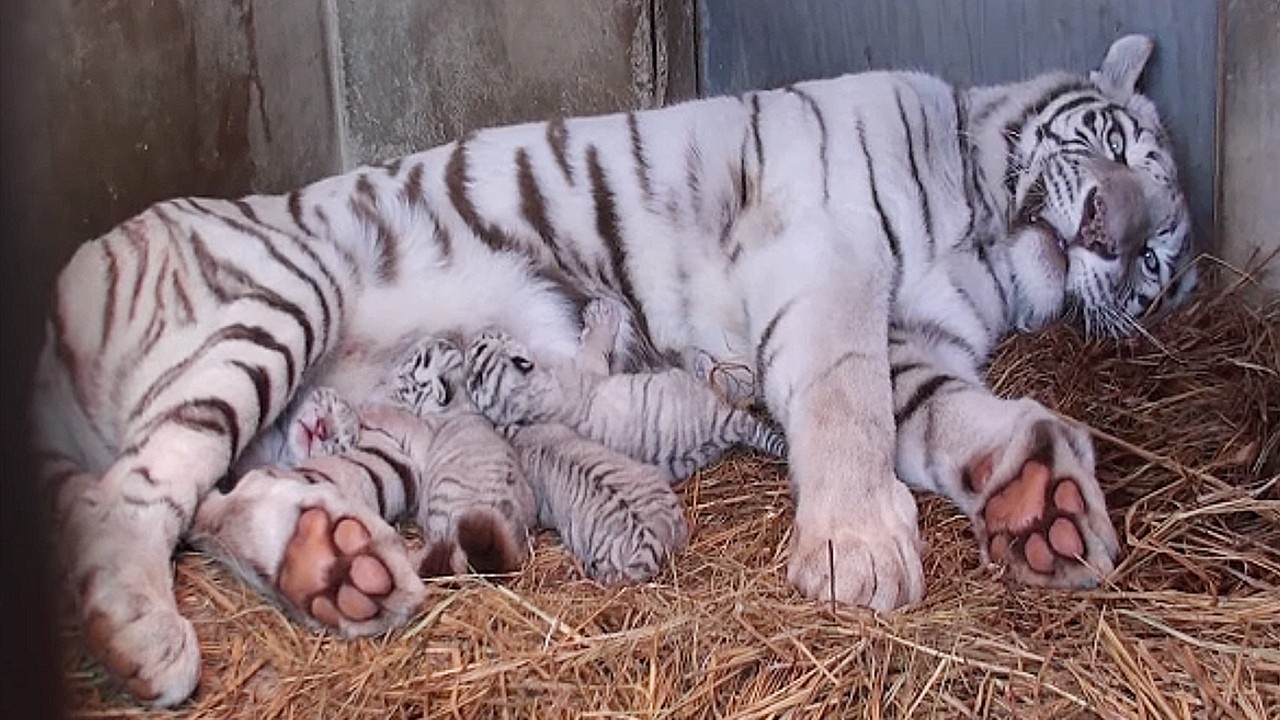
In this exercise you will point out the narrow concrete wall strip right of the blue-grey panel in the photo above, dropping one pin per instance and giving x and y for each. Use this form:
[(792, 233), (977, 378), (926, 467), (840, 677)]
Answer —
[(1250, 202)]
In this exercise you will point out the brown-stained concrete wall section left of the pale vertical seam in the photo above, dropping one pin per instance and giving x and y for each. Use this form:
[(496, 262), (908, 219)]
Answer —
[(130, 103)]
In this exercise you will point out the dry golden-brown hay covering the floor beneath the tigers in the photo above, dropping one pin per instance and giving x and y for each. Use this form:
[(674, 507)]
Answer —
[(1190, 627)]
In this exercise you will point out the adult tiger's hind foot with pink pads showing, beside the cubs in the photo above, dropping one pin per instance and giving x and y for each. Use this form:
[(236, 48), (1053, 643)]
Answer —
[(324, 557)]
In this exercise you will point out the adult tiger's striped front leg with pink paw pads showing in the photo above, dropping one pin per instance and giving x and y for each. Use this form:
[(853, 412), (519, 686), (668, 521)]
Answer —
[(1021, 473)]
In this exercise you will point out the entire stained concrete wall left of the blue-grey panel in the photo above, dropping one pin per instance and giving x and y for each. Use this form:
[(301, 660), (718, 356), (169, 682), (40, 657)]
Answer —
[(127, 103)]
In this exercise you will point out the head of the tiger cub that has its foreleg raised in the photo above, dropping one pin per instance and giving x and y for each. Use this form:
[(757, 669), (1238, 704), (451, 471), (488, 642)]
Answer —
[(506, 382)]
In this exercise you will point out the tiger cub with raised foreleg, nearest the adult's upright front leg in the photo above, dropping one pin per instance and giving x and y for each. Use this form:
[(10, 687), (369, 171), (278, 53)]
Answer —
[(669, 418)]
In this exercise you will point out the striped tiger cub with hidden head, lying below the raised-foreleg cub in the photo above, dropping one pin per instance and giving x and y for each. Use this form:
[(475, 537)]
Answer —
[(619, 517)]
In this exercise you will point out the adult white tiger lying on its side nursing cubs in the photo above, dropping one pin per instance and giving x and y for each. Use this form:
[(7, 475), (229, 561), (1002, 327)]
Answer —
[(861, 243)]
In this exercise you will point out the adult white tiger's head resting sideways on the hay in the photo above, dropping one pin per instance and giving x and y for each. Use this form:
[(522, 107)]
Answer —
[(1096, 203)]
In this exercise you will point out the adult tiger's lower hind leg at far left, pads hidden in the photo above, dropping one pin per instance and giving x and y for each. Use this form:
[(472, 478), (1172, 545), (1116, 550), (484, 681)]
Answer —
[(118, 536)]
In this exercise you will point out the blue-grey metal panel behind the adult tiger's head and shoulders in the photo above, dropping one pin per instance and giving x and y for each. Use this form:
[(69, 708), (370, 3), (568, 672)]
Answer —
[(757, 44)]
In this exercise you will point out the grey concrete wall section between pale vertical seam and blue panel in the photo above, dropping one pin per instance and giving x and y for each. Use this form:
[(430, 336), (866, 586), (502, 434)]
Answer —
[(422, 72)]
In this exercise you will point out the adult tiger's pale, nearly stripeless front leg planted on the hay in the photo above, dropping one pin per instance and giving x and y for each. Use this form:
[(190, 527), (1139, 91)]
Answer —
[(821, 345)]
